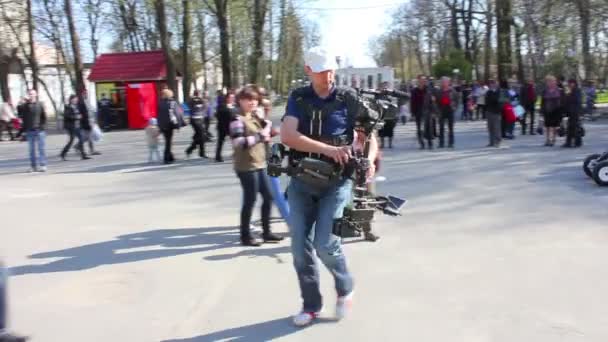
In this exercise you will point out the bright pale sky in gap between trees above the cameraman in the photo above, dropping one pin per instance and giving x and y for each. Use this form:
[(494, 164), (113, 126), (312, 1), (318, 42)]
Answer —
[(346, 26)]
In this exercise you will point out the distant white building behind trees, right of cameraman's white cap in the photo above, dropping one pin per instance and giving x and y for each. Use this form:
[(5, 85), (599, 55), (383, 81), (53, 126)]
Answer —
[(367, 78)]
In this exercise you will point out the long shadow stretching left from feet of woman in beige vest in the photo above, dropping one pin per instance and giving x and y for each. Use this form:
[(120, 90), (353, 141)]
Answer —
[(154, 244)]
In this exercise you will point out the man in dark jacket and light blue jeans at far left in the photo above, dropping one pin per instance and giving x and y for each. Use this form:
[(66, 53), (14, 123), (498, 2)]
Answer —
[(34, 125)]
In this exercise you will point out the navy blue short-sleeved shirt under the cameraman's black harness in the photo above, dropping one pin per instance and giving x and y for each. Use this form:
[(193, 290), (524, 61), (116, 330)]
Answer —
[(333, 125)]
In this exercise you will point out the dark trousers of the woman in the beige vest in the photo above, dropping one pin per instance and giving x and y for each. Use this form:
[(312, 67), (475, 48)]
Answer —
[(253, 182)]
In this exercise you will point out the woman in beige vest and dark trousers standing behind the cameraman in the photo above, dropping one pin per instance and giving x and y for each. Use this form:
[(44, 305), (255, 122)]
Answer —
[(249, 134)]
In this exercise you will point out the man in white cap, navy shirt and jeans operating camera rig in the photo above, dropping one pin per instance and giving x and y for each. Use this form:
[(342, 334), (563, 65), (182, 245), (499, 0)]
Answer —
[(319, 124)]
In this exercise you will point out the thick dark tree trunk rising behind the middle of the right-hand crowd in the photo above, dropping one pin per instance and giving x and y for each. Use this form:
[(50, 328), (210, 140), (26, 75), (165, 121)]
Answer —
[(503, 30)]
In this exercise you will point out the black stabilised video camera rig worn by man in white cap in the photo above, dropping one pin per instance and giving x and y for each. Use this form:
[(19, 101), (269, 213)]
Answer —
[(358, 216)]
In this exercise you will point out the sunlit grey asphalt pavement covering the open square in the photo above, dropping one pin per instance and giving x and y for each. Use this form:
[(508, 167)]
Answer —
[(494, 245)]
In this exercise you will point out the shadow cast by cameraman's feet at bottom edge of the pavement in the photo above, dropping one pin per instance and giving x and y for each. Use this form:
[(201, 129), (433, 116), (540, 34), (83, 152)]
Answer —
[(259, 332)]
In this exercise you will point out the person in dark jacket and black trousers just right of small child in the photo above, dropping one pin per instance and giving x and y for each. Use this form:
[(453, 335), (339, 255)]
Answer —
[(170, 117)]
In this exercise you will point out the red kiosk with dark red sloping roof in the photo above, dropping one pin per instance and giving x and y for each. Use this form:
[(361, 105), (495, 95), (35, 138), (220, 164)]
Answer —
[(132, 80)]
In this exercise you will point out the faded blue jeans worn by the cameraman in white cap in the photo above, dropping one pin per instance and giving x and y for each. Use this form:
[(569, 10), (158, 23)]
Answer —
[(311, 218)]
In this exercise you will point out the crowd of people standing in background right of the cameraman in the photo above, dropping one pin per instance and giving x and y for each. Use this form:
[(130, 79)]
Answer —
[(503, 104)]
